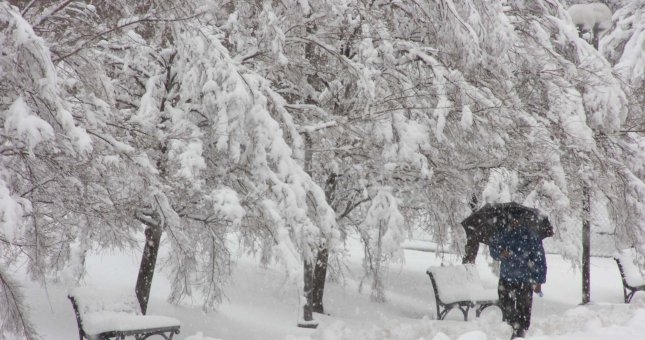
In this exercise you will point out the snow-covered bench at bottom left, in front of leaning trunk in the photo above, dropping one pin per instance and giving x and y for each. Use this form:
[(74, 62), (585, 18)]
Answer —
[(103, 314)]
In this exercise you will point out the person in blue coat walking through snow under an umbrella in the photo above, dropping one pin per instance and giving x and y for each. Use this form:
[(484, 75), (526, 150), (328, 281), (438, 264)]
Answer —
[(522, 272)]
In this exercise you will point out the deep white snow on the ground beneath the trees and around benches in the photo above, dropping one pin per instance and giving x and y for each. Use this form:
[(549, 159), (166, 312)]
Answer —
[(261, 305)]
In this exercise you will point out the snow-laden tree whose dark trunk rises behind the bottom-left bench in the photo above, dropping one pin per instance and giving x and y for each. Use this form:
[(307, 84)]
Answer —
[(199, 135)]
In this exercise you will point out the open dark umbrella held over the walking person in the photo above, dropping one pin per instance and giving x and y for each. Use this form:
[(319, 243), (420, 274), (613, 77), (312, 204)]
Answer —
[(481, 224)]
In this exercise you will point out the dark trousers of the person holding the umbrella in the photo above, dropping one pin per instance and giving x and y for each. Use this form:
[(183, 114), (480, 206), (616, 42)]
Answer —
[(516, 300)]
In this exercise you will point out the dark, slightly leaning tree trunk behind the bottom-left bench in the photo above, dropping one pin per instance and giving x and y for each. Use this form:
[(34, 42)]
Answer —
[(147, 267)]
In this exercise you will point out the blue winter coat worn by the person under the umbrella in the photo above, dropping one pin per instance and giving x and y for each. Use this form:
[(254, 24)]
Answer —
[(527, 262)]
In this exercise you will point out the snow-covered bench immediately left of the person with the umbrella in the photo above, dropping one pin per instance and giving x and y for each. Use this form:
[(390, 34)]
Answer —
[(460, 286)]
